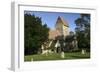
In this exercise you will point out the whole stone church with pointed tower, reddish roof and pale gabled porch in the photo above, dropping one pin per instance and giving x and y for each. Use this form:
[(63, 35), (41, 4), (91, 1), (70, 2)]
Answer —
[(53, 44)]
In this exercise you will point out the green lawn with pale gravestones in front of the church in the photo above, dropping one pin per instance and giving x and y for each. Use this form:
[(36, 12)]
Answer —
[(55, 56)]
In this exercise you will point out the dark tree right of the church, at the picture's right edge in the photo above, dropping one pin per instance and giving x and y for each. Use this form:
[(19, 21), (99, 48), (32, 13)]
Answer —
[(83, 31)]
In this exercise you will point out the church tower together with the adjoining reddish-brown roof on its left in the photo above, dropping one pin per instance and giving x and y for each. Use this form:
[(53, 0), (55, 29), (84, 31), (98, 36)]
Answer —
[(61, 28)]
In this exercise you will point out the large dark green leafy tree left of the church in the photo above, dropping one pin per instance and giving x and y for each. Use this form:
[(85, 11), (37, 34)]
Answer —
[(35, 33)]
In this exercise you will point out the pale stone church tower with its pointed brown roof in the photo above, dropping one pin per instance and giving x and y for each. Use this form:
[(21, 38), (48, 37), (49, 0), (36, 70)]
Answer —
[(62, 26)]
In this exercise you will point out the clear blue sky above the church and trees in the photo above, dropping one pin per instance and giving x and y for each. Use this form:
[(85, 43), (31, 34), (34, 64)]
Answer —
[(50, 18)]
